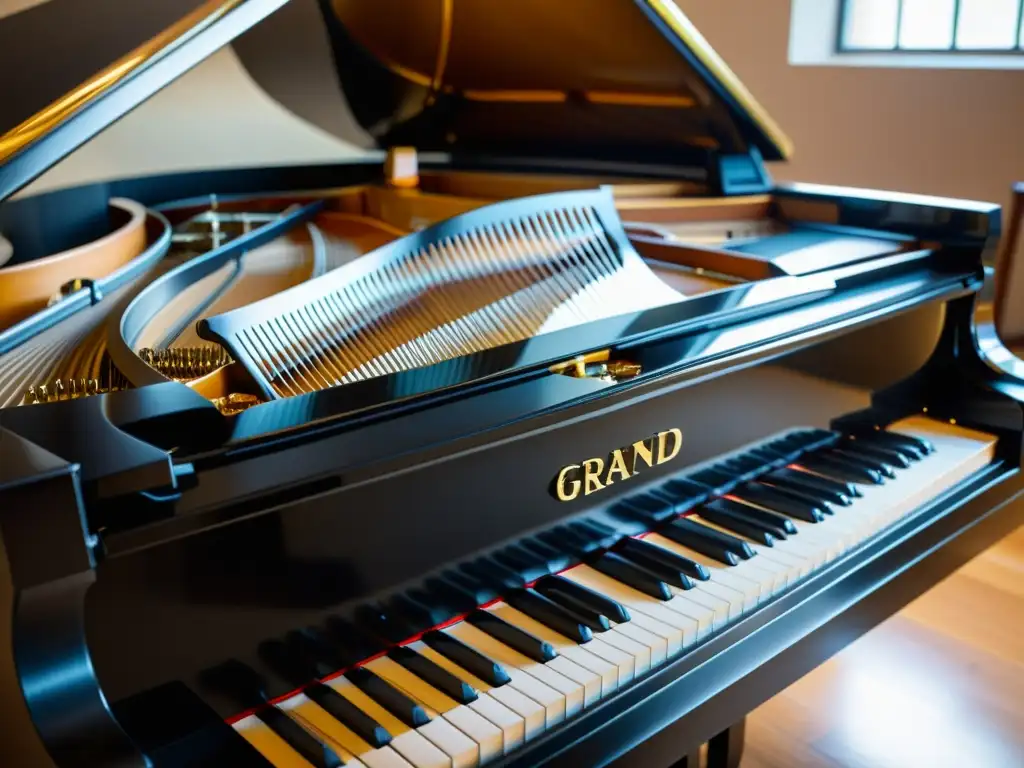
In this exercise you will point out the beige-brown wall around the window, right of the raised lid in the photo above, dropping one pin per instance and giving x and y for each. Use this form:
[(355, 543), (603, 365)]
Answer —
[(951, 133)]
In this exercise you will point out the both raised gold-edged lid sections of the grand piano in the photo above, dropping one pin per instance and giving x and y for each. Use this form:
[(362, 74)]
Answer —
[(591, 80)]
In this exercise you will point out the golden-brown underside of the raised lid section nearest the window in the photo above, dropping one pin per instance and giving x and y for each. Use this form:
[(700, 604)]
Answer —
[(601, 79)]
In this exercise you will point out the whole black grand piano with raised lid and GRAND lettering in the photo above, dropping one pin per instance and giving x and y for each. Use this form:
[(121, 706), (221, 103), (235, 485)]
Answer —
[(554, 434)]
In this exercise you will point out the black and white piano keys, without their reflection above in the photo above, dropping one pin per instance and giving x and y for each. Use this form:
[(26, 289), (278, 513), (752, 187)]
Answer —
[(577, 670)]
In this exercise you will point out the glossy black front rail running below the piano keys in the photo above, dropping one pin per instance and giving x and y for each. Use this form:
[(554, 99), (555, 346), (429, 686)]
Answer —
[(709, 689)]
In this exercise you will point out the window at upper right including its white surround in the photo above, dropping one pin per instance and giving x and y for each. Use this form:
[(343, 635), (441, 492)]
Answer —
[(935, 34)]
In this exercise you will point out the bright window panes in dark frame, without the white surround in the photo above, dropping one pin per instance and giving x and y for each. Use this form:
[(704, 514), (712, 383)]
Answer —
[(932, 26)]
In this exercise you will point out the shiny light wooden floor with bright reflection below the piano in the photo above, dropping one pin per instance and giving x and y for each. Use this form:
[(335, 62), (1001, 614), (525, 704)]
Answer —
[(940, 685)]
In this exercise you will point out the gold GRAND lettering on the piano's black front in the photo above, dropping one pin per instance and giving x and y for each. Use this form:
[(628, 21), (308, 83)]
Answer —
[(592, 476)]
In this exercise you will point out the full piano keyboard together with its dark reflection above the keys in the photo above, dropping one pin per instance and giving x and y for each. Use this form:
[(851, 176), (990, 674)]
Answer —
[(584, 612)]
